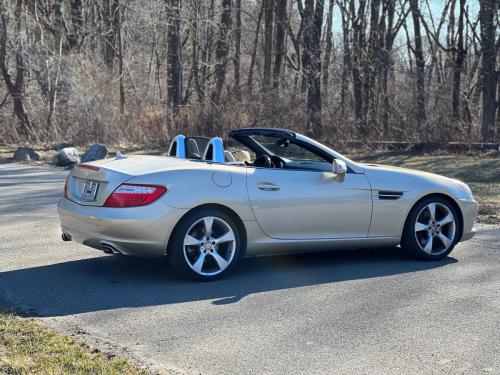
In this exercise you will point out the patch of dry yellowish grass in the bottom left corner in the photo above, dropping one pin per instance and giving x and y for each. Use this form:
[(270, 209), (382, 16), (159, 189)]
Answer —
[(28, 347)]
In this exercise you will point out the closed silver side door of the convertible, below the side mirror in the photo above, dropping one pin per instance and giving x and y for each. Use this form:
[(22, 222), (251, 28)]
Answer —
[(305, 204)]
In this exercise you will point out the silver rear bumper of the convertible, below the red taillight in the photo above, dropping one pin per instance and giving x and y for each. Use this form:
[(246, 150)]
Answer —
[(138, 231)]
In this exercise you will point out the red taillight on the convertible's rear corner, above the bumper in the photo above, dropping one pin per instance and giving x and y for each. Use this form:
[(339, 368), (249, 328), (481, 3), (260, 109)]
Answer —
[(133, 195)]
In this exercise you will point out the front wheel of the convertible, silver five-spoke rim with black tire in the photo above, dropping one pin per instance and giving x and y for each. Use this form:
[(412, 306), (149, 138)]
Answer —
[(432, 229)]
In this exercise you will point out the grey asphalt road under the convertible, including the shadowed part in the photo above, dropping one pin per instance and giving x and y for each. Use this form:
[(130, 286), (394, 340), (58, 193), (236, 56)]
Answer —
[(342, 312)]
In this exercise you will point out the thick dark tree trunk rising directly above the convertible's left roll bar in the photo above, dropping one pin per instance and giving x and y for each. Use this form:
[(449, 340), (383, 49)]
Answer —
[(174, 73)]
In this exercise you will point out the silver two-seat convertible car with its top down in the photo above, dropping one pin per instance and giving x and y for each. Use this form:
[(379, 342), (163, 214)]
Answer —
[(270, 191)]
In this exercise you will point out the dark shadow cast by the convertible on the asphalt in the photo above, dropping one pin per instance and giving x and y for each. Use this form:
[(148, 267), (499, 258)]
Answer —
[(111, 282)]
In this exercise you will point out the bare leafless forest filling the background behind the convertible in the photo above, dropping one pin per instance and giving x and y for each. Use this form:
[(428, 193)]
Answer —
[(139, 72)]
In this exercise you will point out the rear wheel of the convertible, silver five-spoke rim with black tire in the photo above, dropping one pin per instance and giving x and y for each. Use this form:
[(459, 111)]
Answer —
[(206, 245)]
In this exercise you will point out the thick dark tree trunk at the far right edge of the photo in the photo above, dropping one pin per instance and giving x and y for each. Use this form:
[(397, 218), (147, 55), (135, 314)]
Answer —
[(488, 73)]
